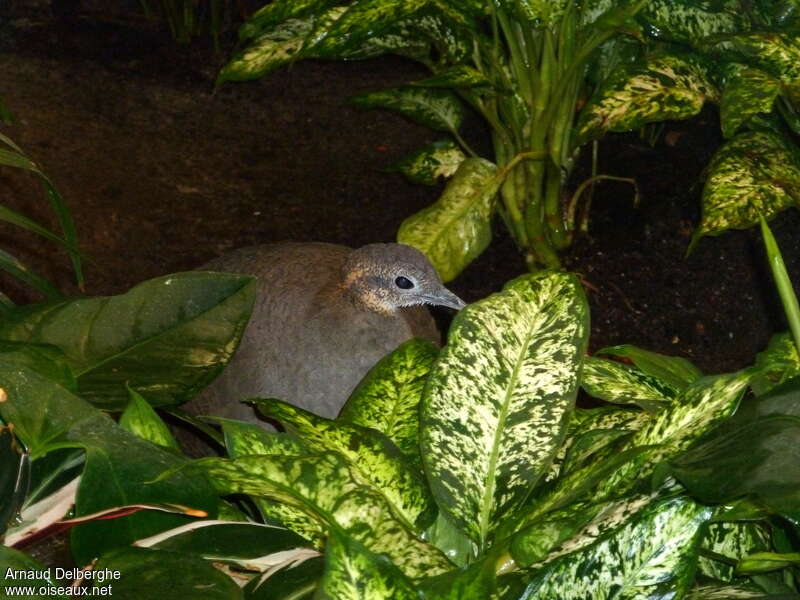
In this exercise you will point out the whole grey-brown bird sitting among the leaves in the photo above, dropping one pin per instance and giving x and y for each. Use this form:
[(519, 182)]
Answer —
[(324, 315)]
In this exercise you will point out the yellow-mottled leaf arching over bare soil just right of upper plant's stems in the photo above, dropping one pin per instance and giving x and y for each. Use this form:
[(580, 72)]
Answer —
[(663, 87)]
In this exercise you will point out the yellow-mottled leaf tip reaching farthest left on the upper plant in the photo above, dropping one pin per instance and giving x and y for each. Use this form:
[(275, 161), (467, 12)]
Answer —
[(269, 51)]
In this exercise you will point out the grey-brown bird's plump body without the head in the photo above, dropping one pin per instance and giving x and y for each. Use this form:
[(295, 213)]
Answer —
[(307, 342)]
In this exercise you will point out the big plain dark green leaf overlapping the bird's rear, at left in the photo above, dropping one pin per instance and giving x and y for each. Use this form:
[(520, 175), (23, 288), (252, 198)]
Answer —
[(167, 337)]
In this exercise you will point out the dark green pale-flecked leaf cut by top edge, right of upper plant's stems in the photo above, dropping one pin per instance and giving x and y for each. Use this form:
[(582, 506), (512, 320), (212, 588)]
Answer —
[(690, 20)]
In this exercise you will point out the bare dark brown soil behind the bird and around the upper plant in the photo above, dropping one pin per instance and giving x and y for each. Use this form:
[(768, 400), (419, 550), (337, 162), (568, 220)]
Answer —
[(162, 173)]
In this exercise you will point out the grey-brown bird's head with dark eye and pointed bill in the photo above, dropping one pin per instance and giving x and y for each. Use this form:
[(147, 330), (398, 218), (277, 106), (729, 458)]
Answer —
[(385, 277)]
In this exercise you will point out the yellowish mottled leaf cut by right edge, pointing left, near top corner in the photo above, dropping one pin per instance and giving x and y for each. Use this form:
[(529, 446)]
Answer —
[(777, 53)]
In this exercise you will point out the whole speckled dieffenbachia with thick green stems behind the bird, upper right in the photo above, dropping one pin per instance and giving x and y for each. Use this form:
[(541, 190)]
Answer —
[(549, 77)]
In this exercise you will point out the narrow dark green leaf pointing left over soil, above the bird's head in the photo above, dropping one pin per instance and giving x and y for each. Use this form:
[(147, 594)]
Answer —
[(435, 108)]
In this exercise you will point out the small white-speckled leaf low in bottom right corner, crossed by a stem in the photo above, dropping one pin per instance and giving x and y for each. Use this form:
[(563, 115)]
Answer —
[(733, 540)]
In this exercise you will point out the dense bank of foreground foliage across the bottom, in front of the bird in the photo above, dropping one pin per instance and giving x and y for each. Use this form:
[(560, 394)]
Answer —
[(464, 473)]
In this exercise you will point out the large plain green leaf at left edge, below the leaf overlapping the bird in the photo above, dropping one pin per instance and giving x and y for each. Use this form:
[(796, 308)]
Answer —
[(47, 417)]
